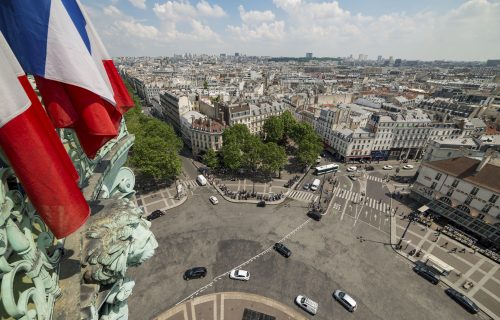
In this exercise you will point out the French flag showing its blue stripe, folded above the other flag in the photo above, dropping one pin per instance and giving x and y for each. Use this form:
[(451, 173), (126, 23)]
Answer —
[(81, 89)]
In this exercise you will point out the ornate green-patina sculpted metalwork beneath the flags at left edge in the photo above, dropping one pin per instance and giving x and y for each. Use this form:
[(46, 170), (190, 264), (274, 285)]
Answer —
[(116, 238)]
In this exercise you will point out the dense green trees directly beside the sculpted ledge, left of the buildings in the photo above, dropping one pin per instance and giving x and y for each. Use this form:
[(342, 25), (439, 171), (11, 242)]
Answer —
[(155, 154)]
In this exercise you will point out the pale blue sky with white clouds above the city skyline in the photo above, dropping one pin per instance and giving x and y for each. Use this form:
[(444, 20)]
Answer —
[(409, 29)]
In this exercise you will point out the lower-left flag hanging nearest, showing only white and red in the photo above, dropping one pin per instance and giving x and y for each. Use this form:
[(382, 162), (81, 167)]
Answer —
[(35, 151)]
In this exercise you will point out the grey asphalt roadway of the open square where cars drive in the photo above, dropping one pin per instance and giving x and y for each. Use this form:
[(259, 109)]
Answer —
[(327, 255)]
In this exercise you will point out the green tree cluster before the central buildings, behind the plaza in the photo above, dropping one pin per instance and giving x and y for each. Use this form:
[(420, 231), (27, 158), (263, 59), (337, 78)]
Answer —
[(242, 150)]
